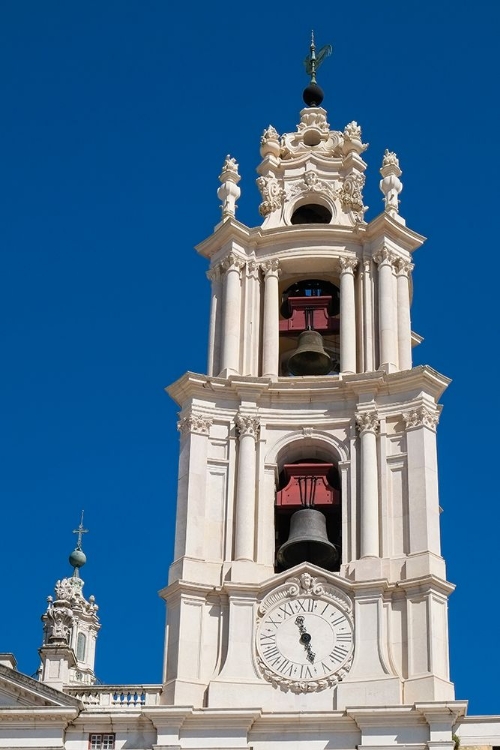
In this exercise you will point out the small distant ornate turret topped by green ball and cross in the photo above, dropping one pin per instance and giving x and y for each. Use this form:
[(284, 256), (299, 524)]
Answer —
[(70, 626)]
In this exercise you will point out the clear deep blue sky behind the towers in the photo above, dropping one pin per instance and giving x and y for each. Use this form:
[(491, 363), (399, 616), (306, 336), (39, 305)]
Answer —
[(116, 118)]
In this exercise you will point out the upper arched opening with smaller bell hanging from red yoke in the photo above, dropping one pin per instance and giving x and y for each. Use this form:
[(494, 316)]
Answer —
[(309, 328)]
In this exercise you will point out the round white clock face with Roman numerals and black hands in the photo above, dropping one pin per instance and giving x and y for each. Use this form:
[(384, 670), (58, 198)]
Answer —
[(305, 639)]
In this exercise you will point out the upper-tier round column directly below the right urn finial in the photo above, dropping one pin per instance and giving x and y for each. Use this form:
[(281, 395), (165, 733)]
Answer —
[(387, 325)]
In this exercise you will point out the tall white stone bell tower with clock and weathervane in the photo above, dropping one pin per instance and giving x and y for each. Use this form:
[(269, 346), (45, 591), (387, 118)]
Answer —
[(307, 573)]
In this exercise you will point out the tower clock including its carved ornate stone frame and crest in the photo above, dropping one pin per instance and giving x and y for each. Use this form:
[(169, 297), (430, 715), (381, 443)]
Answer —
[(305, 635)]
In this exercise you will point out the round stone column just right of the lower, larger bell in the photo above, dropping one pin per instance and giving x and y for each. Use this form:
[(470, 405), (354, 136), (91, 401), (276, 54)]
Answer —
[(368, 426)]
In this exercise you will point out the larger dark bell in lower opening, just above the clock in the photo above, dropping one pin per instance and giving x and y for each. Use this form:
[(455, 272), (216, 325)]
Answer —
[(308, 541)]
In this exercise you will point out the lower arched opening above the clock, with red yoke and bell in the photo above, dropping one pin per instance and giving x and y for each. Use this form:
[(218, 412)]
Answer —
[(310, 487)]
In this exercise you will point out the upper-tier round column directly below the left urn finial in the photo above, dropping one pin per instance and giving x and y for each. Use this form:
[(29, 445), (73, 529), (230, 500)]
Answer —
[(230, 361)]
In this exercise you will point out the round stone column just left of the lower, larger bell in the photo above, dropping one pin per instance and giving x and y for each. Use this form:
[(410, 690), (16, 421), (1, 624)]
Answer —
[(244, 534)]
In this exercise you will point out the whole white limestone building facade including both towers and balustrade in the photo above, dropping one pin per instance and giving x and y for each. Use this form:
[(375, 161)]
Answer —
[(257, 654)]
